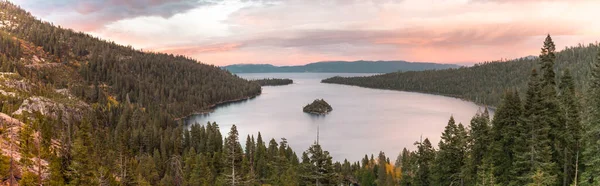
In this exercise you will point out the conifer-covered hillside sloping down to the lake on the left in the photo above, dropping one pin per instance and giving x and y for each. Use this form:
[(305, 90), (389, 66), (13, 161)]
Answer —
[(176, 84)]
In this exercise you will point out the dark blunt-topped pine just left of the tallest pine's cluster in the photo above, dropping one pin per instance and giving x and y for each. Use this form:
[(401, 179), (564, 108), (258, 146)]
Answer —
[(504, 129)]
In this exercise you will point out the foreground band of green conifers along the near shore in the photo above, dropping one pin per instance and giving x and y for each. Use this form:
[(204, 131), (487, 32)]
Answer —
[(542, 138)]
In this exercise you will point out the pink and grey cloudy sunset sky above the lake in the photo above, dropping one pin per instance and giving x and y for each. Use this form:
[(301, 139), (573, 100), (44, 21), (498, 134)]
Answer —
[(293, 32)]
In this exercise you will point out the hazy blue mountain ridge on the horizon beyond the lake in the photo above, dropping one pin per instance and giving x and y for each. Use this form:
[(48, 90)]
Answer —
[(341, 67)]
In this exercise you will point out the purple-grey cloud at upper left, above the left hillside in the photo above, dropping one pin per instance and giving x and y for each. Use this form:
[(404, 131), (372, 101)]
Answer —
[(95, 14)]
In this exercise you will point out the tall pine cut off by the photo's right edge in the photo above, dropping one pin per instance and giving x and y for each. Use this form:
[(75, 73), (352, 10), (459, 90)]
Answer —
[(591, 150)]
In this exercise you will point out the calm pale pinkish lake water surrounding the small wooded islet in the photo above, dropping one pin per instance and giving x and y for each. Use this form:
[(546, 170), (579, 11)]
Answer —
[(362, 121)]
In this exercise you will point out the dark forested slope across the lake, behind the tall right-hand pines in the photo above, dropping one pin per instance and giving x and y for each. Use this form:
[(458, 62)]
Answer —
[(482, 83)]
